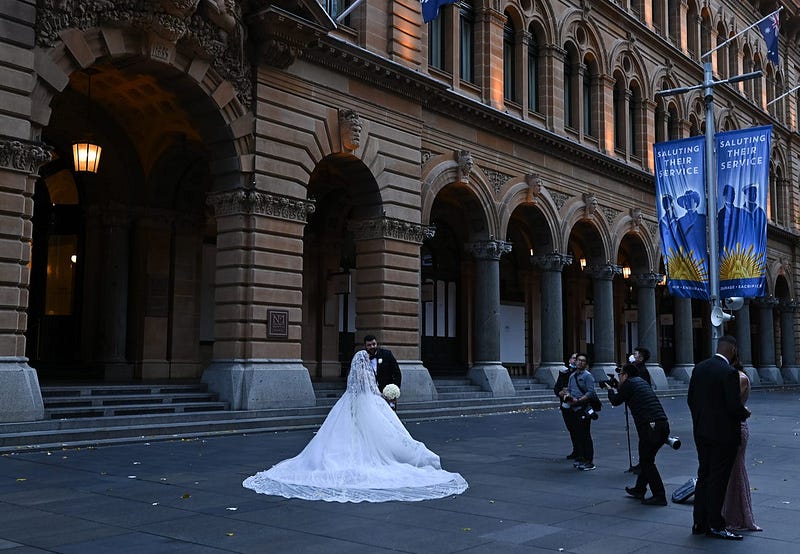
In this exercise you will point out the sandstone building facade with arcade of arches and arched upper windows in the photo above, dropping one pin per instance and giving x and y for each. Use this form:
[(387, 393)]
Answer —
[(277, 181)]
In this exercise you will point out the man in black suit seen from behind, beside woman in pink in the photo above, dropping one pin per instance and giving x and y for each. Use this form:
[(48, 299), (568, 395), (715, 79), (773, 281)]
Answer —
[(717, 412)]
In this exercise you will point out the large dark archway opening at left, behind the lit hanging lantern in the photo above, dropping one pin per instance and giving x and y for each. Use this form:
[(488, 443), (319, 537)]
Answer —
[(123, 260)]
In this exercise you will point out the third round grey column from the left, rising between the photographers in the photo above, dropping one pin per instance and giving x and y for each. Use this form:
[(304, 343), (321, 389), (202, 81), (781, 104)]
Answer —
[(603, 291)]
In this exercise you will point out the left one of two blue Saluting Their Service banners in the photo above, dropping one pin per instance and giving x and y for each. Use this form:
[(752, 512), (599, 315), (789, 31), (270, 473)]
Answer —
[(680, 193)]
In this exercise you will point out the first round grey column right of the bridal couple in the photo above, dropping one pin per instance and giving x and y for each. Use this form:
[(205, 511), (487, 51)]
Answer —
[(487, 371)]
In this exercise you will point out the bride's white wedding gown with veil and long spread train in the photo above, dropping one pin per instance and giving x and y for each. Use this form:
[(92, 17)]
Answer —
[(361, 453)]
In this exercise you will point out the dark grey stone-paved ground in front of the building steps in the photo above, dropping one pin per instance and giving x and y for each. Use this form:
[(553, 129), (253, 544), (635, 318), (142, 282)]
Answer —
[(186, 495)]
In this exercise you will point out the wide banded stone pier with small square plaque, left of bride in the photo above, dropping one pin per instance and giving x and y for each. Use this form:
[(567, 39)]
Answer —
[(258, 310)]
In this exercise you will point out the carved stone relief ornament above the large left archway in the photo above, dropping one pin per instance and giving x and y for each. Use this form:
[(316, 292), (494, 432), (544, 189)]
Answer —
[(211, 29)]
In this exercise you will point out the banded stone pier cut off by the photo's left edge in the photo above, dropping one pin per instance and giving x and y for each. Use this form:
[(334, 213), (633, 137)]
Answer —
[(20, 395)]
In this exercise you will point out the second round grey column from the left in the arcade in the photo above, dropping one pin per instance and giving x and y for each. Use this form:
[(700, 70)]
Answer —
[(552, 316)]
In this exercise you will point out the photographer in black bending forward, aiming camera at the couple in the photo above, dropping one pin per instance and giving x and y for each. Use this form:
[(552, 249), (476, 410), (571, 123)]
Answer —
[(652, 427)]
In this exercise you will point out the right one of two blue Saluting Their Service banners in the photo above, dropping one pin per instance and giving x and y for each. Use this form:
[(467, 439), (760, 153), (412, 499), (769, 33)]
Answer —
[(742, 184)]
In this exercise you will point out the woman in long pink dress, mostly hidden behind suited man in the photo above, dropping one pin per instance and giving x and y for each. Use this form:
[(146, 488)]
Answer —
[(737, 510)]
